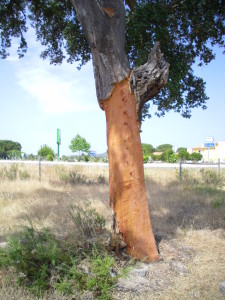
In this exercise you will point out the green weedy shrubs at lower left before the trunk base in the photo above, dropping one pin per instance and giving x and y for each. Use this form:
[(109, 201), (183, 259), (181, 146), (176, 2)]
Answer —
[(41, 262)]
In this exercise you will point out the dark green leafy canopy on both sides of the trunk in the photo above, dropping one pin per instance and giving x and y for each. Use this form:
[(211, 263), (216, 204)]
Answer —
[(187, 31)]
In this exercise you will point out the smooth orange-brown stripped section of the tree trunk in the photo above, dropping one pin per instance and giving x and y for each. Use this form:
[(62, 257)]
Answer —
[(127, 186)]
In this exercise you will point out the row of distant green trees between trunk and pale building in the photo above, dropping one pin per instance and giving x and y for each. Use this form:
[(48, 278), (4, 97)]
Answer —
[(165, 153)]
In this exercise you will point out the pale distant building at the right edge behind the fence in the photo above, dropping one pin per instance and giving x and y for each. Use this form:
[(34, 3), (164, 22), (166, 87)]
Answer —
[(211, 154)]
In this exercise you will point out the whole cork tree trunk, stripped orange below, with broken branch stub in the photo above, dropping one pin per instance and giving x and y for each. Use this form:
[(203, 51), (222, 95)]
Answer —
[(121, 94)]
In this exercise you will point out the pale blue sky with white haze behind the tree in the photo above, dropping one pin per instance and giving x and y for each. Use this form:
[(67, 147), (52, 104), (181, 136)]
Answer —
[(36, 98)]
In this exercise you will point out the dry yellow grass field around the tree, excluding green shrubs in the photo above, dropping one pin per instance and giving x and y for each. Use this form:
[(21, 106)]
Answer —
[(188, 220)]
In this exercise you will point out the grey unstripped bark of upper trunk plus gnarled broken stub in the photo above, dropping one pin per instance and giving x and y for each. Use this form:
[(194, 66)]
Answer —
[(103, 22)]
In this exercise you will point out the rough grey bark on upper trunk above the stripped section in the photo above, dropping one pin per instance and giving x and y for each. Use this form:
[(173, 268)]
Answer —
[(103, 22)]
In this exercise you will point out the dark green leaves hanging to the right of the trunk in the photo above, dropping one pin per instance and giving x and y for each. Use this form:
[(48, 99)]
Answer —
[(187, 31)]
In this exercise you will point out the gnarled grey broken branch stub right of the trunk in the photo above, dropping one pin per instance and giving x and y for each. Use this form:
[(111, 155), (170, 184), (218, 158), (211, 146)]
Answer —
[(147, 80)]
